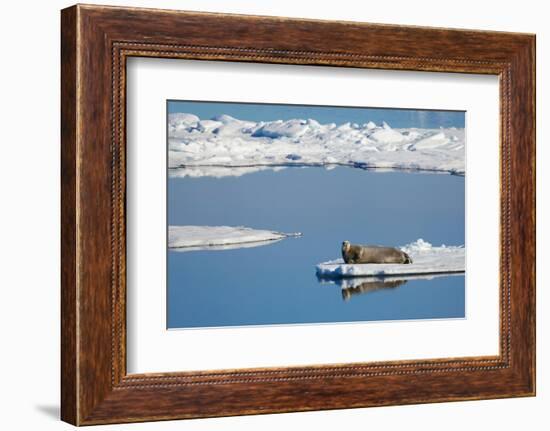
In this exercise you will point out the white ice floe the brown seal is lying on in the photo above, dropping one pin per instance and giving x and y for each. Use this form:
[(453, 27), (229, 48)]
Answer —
[(427, 259)]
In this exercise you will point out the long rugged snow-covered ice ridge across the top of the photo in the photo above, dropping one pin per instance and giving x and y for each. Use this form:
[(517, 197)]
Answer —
[(225, 145)]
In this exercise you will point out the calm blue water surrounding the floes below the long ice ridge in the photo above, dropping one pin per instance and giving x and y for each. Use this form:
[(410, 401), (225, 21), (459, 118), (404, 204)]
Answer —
[(276, 283)]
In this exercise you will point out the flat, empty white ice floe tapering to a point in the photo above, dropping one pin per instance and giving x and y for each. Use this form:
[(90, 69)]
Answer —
[(188, 238)]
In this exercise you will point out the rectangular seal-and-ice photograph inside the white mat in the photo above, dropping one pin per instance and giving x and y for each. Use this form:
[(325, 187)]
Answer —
[(286, 214)]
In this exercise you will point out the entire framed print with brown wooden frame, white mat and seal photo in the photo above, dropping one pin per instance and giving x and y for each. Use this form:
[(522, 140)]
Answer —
[(279, 215)]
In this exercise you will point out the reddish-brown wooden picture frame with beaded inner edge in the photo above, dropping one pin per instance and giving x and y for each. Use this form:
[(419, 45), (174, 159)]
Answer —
[(96, 41)]
